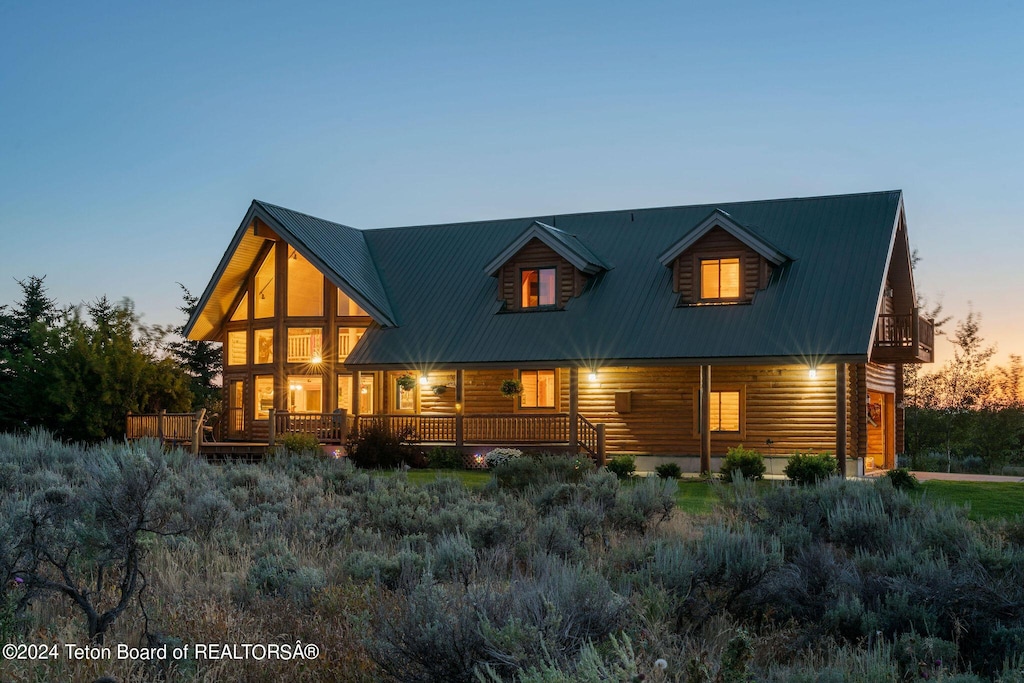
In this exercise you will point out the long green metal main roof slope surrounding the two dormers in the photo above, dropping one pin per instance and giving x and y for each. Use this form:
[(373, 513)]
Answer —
[(820, 306)]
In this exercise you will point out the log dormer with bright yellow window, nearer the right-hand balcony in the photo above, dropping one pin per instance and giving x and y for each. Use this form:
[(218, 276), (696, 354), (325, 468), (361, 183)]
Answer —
[(720, 262)]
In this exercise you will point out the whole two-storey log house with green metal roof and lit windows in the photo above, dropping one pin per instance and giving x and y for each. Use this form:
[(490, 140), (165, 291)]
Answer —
[(669, 333)]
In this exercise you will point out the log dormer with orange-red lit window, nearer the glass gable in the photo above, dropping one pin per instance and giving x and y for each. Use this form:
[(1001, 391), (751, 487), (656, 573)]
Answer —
[(543, 269)]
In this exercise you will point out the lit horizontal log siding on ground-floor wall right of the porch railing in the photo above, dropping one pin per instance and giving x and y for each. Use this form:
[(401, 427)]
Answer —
[(783, 404)]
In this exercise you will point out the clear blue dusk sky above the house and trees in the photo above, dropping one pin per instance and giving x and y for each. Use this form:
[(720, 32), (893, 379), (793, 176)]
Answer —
[(134, 136)]
